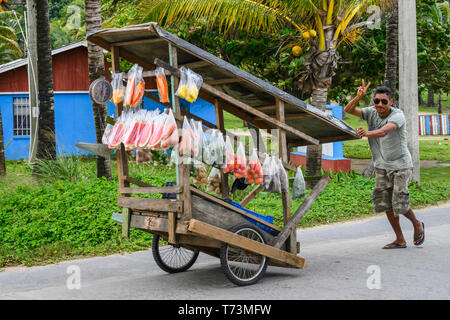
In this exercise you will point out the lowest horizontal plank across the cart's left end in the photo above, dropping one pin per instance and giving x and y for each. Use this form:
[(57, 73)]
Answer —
[(149, 204)]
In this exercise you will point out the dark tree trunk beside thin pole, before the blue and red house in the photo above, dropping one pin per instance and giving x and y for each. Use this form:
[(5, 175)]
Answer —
[(46, 148)]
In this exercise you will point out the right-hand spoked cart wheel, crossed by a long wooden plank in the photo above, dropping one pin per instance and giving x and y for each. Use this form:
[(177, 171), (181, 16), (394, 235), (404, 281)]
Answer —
[(240, 266)]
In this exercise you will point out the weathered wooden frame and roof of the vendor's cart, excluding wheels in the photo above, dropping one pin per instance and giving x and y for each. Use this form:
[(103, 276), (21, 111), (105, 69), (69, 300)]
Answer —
[(197, 220)]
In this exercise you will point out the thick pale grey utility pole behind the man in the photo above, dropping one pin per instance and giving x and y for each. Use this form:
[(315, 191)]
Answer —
[(408, 91)]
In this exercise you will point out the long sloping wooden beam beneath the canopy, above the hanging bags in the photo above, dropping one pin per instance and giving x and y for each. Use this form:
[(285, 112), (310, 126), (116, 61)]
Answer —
[(242, 105)]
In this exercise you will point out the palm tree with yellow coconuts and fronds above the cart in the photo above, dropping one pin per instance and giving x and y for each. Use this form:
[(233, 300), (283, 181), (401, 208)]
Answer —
[(322, 26)]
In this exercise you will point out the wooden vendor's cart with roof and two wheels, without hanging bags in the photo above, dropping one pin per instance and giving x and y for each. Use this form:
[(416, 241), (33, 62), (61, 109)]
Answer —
[(193, 221)]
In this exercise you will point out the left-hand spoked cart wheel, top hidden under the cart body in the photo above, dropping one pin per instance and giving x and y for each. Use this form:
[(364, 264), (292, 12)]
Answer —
[(172, 259)]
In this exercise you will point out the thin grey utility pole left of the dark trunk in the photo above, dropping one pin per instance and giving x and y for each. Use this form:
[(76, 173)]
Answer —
[(32, 77)]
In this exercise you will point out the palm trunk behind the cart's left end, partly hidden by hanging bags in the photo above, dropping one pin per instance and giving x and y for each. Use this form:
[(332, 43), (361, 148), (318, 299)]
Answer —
[(96, 61)]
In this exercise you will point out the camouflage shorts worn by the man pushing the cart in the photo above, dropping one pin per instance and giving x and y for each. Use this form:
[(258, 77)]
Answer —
[(391, 191)]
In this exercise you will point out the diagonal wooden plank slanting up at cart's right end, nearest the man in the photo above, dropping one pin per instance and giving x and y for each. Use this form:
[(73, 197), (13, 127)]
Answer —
[(301, 211)]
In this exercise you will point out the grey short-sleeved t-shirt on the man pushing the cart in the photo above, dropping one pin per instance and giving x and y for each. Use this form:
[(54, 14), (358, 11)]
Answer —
[(391, 151)]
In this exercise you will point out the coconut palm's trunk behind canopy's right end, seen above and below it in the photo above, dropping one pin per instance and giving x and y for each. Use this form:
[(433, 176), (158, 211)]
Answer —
[(314, 152)]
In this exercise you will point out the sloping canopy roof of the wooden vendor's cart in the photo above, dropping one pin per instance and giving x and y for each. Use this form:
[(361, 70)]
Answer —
[(144, 43)]
